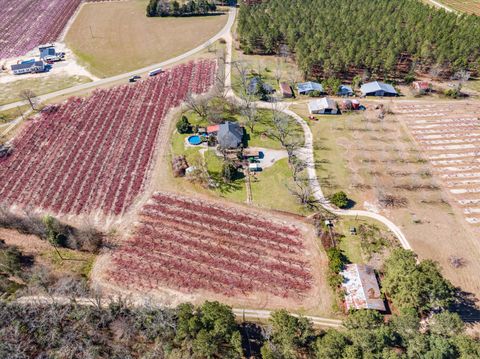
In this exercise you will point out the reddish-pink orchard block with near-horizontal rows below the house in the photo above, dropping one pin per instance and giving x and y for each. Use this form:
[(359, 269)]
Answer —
[(192, 246)]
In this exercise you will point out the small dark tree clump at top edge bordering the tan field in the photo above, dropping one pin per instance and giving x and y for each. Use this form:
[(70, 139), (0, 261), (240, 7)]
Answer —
[(165, 8)]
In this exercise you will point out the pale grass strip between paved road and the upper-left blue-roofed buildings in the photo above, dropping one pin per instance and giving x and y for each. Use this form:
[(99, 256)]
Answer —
[(40, 86)]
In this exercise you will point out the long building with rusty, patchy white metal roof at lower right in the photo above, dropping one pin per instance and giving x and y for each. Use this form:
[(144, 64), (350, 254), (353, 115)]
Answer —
[(361, 288)]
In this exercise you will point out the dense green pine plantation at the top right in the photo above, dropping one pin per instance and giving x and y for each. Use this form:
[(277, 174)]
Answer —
[(379, 38)]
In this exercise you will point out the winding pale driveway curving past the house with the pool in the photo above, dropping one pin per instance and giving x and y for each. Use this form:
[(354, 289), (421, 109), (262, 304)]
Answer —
[(308, 154)]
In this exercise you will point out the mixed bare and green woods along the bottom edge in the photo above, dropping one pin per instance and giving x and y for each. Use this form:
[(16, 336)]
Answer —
[(421, 326)]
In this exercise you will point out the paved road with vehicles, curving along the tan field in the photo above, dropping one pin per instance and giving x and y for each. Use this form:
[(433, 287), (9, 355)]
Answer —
[(93, 84)]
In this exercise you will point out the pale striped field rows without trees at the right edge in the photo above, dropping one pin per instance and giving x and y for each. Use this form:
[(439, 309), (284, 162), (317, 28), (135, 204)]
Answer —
[(449, 134)]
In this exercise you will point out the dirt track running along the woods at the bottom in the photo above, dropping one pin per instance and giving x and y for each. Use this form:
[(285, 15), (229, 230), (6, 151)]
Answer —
[(247, 314)]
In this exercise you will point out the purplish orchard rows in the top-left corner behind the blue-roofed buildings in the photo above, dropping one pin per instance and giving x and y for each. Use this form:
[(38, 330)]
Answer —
[(25, 24)]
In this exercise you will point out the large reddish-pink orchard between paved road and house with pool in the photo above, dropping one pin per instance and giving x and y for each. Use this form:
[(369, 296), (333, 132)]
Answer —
[(94, 154)]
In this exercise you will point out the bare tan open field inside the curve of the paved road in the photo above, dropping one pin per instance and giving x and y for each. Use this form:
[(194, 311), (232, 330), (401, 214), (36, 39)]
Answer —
[(110, 38)]
